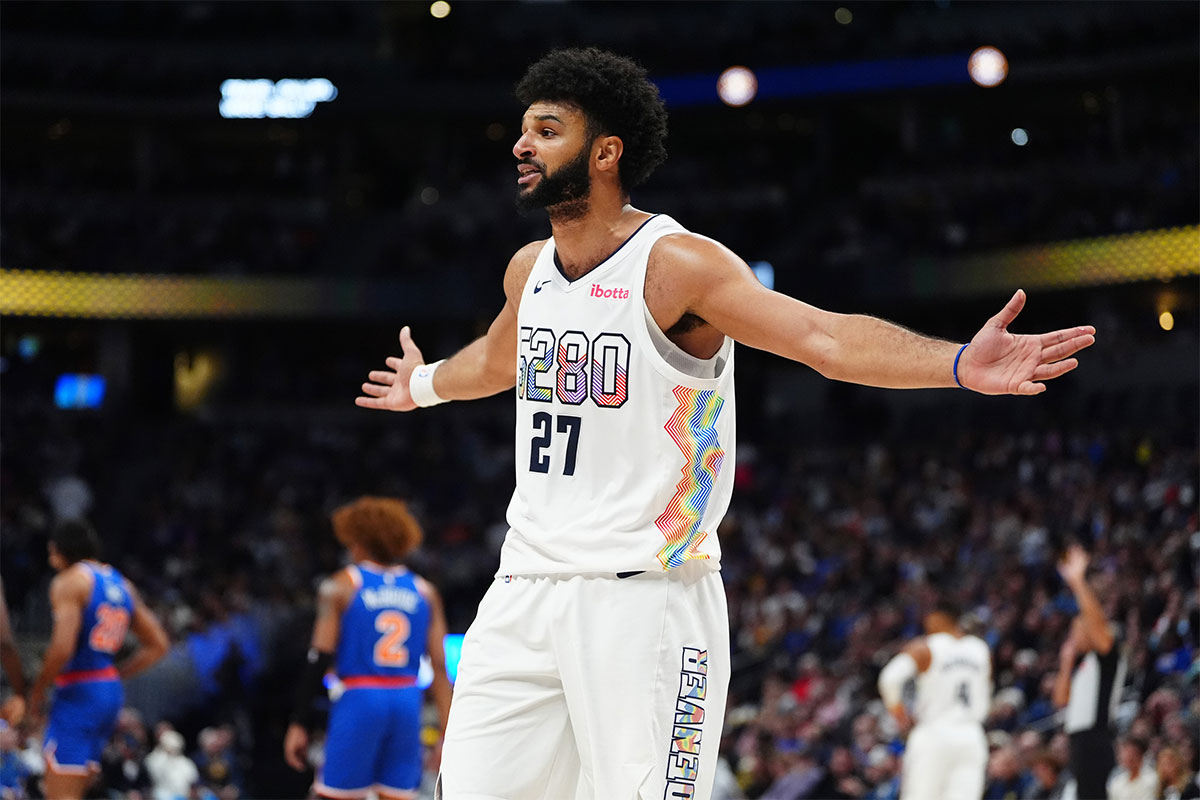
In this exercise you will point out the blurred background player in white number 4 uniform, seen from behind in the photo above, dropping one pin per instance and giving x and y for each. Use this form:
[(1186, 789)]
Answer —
[(946, 757)]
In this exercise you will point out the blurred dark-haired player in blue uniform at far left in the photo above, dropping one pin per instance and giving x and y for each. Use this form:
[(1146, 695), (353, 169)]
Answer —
[(94, 607)]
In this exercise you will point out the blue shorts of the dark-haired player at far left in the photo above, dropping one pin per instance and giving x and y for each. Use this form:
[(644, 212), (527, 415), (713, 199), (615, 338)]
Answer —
[(82, 720)]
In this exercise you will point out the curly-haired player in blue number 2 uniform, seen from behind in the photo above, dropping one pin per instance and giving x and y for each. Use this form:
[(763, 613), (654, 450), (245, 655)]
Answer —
[(375, 622)]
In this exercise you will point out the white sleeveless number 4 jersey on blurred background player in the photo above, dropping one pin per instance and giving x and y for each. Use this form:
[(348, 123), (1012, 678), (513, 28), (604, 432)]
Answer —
[(957, 688)]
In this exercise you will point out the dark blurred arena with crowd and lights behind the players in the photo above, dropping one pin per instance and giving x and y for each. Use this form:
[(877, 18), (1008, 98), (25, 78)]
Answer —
[(217, 218)]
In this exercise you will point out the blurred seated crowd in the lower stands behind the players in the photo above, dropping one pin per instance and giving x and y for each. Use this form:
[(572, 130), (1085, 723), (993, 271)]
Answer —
[(832, 552)]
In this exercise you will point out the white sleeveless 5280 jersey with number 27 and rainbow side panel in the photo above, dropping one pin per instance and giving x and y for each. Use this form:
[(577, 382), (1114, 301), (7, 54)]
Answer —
[(623, 462)]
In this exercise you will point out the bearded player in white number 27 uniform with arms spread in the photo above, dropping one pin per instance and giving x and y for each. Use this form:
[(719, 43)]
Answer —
[(598, 664)]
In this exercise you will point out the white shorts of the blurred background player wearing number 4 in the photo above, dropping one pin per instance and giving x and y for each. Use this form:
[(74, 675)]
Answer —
[(945, 761)]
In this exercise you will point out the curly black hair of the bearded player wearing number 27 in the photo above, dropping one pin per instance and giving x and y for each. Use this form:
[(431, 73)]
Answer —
[(616, 97)]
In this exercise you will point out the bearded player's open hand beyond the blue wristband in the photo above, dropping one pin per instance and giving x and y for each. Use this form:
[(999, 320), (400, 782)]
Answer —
[(999, 363)]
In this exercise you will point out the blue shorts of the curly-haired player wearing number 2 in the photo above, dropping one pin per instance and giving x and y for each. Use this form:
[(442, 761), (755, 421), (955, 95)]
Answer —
[(374, 743)]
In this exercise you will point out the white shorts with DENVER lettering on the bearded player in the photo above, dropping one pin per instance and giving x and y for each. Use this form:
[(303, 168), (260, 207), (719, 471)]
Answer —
[(591, 688)]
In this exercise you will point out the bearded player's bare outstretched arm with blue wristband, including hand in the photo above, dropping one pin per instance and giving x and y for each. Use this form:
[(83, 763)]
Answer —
[(718, 287)]
